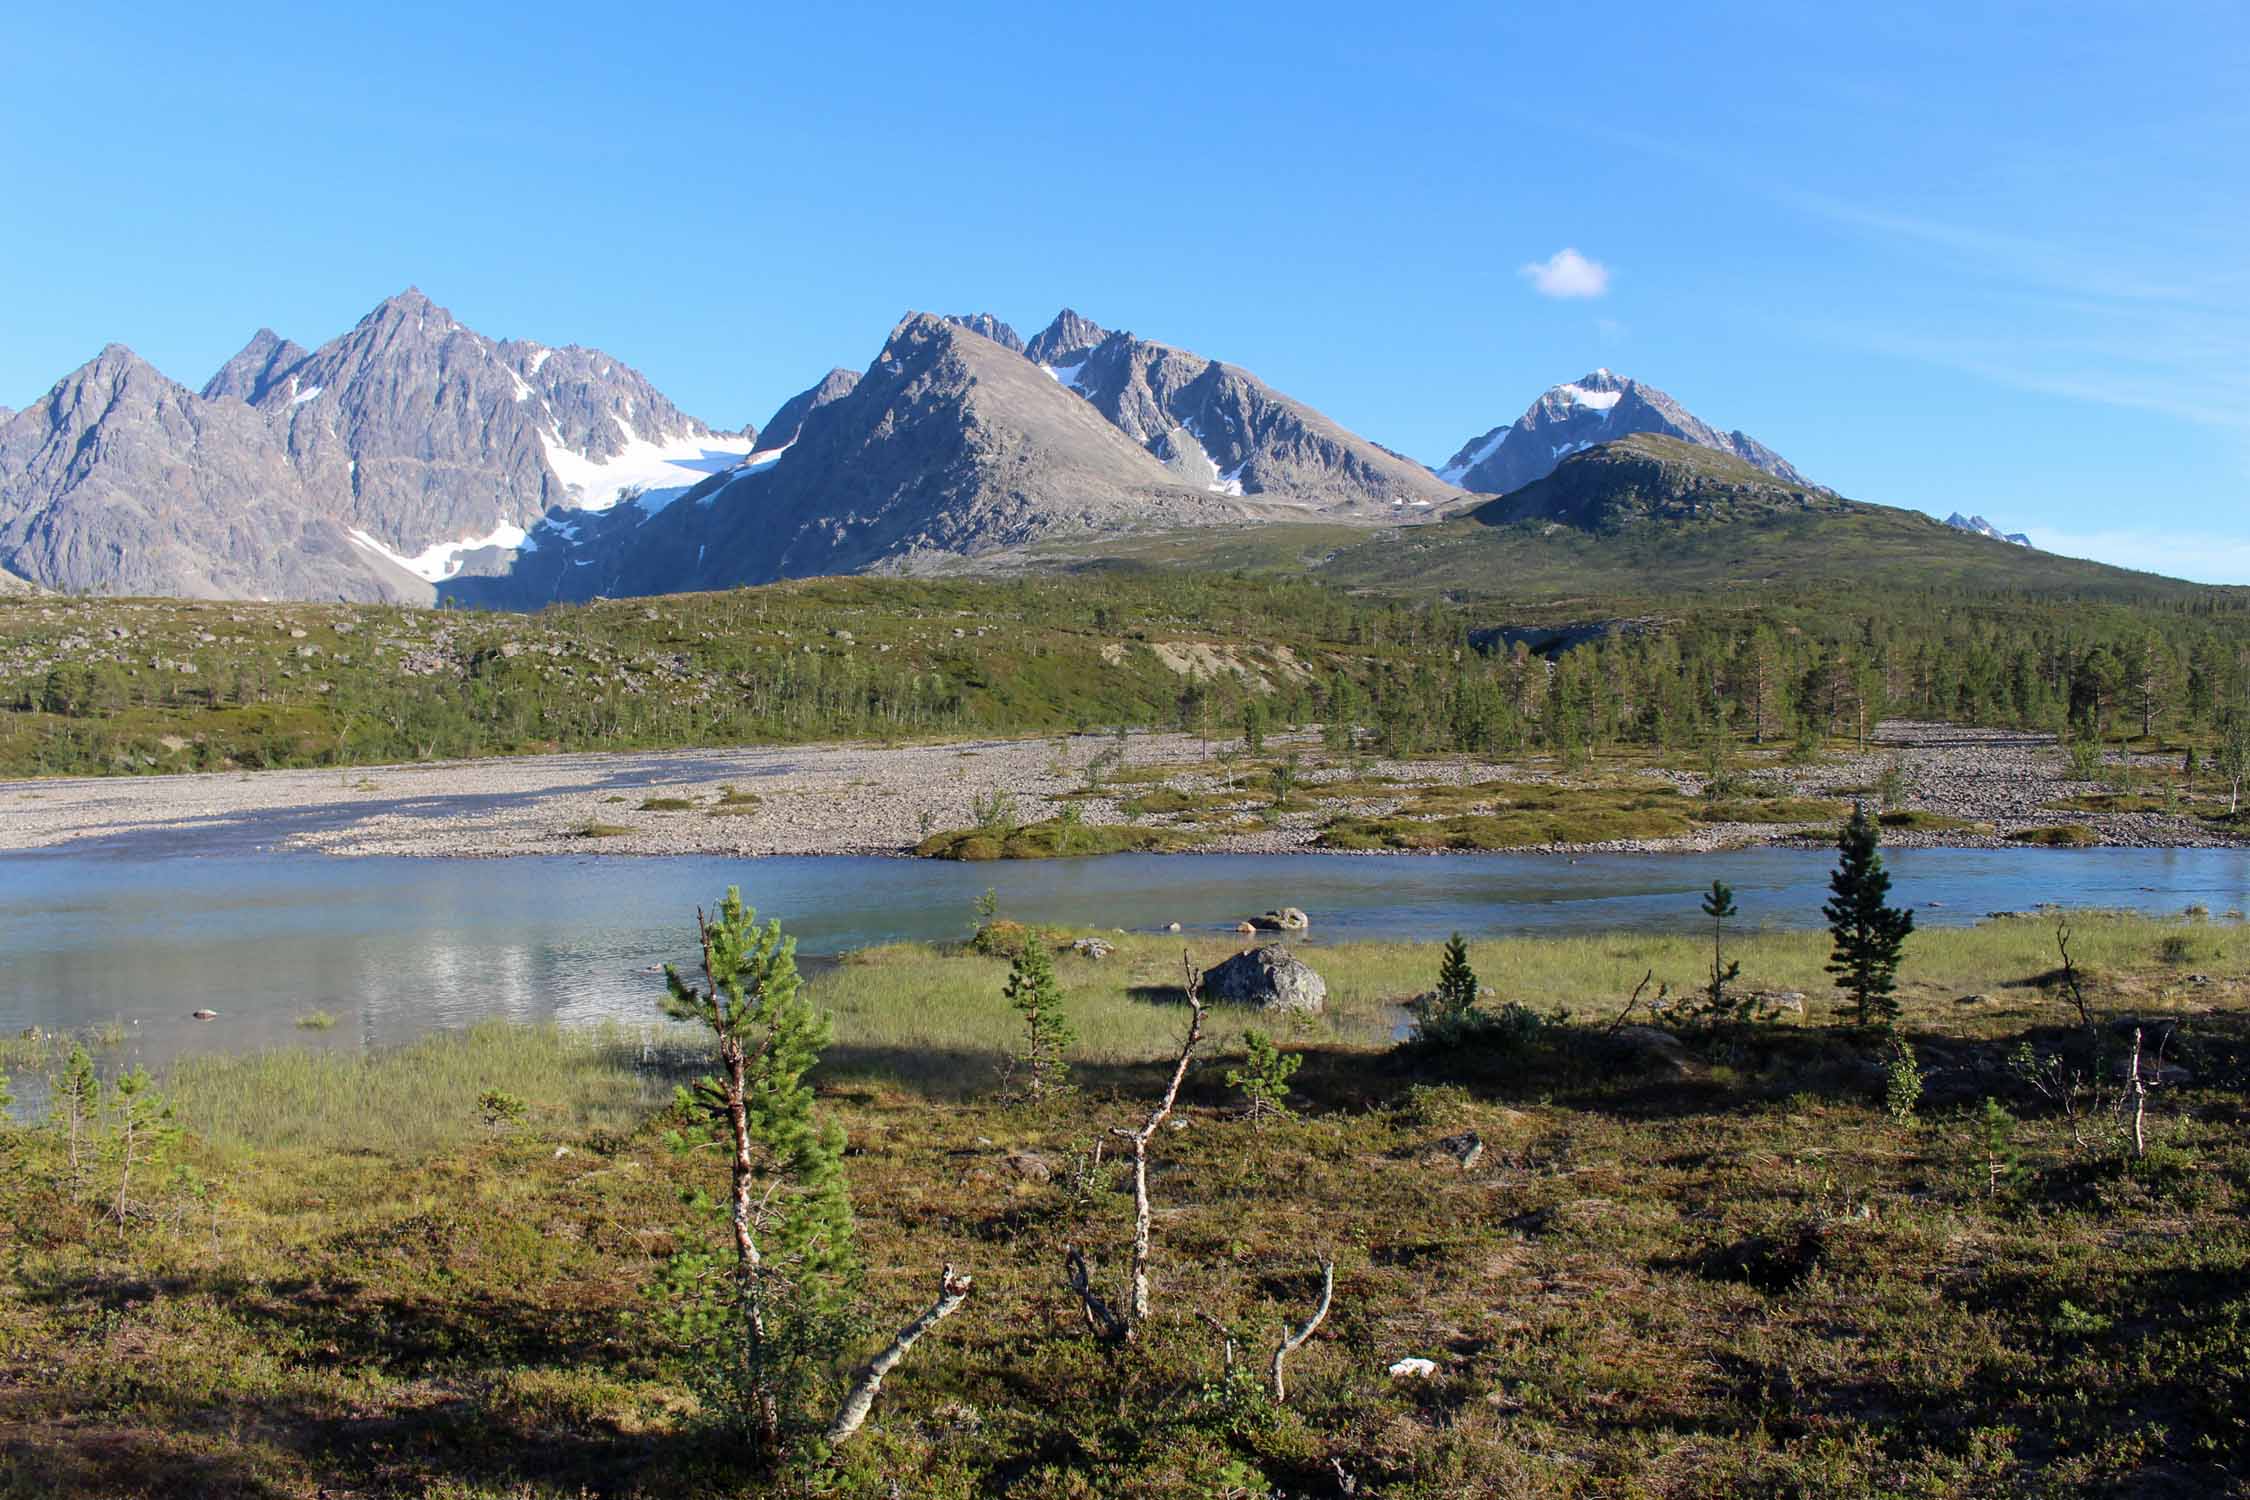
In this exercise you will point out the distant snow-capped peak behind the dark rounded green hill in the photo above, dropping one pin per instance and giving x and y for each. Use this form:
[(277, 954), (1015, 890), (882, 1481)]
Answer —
[(1583, 415)]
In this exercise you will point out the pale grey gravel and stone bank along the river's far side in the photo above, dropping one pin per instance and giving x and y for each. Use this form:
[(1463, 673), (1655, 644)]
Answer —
[(867, 799)]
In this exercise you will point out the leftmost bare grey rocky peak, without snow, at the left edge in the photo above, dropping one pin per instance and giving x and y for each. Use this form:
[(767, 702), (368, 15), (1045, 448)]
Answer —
[(125, 482)]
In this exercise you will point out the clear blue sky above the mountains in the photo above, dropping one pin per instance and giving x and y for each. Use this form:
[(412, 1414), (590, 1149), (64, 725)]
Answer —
[(1956, 257)]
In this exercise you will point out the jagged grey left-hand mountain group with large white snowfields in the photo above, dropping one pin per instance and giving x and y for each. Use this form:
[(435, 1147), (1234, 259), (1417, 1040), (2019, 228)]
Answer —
[(424, 446)]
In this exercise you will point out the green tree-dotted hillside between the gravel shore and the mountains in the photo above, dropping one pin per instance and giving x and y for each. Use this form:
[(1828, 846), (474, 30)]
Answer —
[(177, 685)]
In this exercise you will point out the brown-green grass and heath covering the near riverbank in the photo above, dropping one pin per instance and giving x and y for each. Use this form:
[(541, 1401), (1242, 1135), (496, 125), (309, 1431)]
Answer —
[(1743, 1278)]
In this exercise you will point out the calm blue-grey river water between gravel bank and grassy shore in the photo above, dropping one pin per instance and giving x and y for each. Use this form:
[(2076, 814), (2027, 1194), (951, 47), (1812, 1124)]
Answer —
[(397, 948)]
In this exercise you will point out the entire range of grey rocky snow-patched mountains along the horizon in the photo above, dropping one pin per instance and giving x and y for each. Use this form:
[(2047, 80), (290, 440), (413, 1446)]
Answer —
[(415, 460)]
